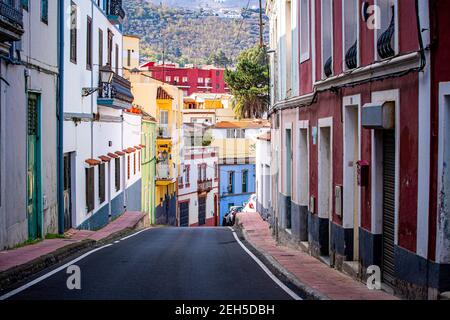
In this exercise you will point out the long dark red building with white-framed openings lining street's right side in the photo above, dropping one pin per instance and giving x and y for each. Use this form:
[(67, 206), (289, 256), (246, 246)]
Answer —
[(361, 130)]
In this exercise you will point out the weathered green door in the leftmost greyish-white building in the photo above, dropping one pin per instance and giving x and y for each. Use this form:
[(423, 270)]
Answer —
[(33, 164)]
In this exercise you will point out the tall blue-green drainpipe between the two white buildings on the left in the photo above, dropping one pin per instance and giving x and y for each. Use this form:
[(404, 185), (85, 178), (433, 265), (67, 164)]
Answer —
[(60, 117)]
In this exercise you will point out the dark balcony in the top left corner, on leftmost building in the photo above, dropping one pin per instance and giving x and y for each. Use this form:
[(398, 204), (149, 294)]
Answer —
[(11, 20)]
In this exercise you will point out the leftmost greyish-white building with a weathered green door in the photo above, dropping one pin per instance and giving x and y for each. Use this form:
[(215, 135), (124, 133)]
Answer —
[(28, 105)]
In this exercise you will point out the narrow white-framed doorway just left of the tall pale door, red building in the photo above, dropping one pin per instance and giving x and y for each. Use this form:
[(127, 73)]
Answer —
[(325, 182)]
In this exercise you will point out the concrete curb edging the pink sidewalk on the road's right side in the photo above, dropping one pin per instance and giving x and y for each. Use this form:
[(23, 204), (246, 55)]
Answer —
[(304, 290)]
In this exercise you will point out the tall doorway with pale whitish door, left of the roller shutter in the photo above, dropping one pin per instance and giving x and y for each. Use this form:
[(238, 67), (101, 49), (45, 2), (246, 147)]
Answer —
[(351, 210)]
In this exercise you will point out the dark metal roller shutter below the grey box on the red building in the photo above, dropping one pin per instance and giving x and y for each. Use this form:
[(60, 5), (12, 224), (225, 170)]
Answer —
[(388, 206)]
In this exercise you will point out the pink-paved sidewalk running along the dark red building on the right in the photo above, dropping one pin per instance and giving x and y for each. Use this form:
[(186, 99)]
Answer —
[(320, 279)]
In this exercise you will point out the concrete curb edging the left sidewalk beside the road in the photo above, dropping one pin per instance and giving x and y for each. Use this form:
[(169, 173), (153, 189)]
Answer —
[(13, 276)]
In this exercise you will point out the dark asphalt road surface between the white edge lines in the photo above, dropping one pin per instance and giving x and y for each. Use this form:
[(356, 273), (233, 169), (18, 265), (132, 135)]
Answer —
[(165, 264)]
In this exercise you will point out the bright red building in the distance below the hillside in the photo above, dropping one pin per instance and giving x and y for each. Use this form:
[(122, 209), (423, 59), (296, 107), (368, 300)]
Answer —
[(190, 80)]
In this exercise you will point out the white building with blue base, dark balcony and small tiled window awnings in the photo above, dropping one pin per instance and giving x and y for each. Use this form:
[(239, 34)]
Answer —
[(101, 159)]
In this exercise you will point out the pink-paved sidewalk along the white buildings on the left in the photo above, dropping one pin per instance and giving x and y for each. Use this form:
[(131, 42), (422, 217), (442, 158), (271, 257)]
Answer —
[(47, 251)]
